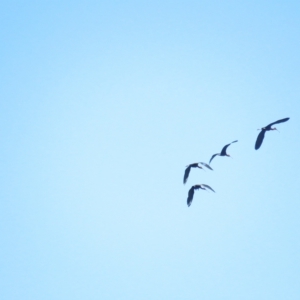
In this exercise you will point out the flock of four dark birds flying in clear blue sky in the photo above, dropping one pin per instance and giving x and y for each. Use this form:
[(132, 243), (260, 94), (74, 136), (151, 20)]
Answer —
[(223, 152)]
